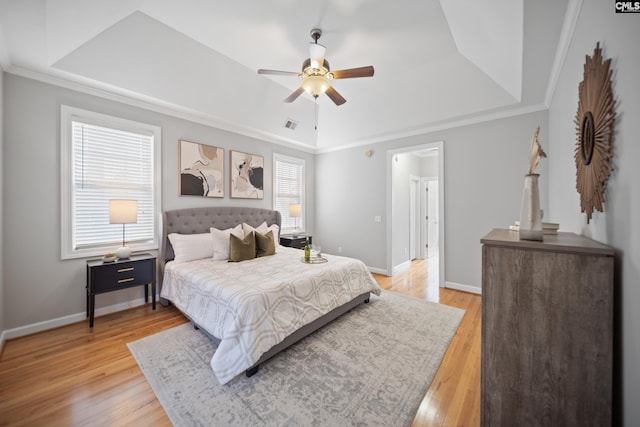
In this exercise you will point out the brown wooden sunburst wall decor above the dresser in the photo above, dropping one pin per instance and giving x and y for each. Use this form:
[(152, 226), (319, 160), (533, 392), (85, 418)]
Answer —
[(594, 129)]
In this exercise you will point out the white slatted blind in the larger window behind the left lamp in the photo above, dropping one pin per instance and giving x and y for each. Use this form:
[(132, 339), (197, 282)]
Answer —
[(110, 164)]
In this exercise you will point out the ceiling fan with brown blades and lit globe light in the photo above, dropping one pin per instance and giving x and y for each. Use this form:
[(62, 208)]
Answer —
[(317, 75)]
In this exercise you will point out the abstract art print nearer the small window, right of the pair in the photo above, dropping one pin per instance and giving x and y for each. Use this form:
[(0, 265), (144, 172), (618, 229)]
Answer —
[(247, 175)]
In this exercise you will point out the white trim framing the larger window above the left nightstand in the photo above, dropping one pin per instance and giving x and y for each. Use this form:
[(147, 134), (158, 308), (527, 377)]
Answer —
[(67, 114)]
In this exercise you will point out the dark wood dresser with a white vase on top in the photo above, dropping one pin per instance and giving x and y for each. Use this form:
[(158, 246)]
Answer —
[(547, 331)]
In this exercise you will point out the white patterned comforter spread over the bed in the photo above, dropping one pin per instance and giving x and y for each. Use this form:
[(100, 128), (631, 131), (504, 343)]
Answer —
[(253, 305)]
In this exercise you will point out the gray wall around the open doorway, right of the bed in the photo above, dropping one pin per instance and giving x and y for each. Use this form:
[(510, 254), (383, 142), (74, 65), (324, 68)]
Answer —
[(484, 173)]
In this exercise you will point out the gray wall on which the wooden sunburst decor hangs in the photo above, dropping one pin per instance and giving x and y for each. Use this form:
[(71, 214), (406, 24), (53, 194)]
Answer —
[(618, 35)]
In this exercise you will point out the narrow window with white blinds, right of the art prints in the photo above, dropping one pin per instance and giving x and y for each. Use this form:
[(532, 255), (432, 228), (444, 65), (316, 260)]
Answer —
[(288, 187)]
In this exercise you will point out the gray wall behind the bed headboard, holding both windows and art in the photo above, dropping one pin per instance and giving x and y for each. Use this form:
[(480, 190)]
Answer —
[(38, 286)]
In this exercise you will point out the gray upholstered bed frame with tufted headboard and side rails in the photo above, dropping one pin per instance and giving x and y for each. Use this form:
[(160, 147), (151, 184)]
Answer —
[(200, 220)]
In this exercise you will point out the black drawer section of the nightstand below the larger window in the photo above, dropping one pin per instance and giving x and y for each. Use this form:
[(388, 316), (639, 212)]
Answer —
[(110, 277)]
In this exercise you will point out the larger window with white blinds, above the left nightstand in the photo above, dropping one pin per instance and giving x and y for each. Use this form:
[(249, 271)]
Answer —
[(104, 158)]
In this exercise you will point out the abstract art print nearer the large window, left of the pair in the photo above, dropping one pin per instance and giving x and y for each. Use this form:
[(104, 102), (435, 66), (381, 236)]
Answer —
[(201, 170)]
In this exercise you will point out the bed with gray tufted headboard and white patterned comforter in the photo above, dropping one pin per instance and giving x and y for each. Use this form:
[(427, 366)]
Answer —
[(258, 307)]
